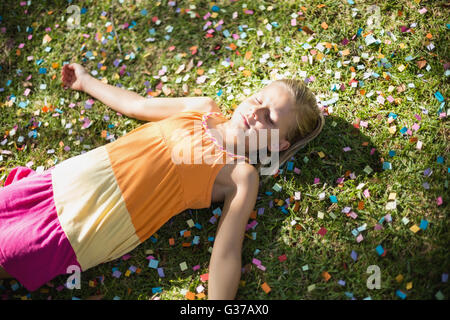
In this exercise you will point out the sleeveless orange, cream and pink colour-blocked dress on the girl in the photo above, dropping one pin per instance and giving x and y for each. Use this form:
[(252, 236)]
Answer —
[(99, 205)]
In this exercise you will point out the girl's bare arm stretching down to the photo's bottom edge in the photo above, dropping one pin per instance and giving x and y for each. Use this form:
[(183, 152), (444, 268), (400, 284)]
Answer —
[(225, 265)]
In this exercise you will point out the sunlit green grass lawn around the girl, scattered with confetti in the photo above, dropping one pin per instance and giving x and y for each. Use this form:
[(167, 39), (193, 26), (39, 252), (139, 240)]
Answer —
[(420, 257)]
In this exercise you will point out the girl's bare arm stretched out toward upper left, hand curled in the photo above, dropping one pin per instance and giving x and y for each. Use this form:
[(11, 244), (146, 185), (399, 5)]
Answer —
[(128, 102)]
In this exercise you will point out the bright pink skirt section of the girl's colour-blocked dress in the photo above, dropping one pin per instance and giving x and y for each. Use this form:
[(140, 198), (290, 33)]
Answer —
[(33, 247)]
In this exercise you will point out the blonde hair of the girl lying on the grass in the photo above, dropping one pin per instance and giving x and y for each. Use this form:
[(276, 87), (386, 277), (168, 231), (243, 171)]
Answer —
[(308, 116)]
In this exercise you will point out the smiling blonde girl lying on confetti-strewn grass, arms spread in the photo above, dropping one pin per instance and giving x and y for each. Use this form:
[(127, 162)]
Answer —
[(97, 206)]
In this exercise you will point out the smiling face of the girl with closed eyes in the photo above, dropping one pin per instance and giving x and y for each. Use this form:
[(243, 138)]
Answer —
[(272, 108)]
